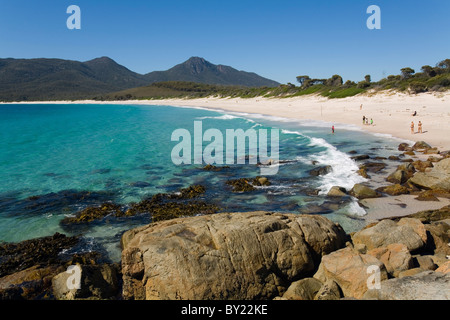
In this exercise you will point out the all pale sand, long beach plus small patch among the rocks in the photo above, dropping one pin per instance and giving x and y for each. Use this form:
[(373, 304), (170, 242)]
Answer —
[(391, 114)]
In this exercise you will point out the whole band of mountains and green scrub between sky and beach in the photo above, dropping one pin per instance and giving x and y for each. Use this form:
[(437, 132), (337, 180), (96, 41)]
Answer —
[(104, 79)]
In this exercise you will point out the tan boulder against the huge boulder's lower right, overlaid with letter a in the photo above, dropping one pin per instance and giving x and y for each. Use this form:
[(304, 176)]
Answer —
[(350, 270)]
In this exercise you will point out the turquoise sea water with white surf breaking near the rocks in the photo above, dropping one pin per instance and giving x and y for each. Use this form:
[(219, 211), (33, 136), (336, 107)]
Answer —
[(58, 159)]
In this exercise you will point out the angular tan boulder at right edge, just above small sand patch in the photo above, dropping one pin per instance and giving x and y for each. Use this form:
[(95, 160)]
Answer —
[(437, 178)]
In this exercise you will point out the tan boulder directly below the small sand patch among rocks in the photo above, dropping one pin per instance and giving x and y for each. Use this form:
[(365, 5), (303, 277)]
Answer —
[(388, 232)]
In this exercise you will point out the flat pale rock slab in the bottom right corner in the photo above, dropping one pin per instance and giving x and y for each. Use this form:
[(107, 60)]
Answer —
[(427, 285)]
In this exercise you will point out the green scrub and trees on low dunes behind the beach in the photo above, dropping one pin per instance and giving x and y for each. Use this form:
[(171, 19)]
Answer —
[(431, 79)]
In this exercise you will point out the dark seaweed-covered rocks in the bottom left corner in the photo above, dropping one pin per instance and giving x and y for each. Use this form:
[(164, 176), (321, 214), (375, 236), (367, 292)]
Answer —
[(28, 270)]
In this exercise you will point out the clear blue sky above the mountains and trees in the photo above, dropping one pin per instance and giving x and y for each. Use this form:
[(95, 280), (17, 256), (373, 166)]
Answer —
[(275, 39)]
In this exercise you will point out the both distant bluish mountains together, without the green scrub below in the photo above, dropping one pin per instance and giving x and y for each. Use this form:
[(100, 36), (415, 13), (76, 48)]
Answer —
[(54, 79)]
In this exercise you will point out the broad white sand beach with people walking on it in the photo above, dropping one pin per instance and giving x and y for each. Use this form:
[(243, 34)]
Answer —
[(391, 113)]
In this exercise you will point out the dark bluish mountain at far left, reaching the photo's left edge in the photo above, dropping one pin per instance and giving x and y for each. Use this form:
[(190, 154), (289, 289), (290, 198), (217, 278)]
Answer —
[(49, 79)]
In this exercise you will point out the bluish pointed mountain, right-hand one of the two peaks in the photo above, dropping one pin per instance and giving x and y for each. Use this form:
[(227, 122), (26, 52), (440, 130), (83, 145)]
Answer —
[(199, 70)]
